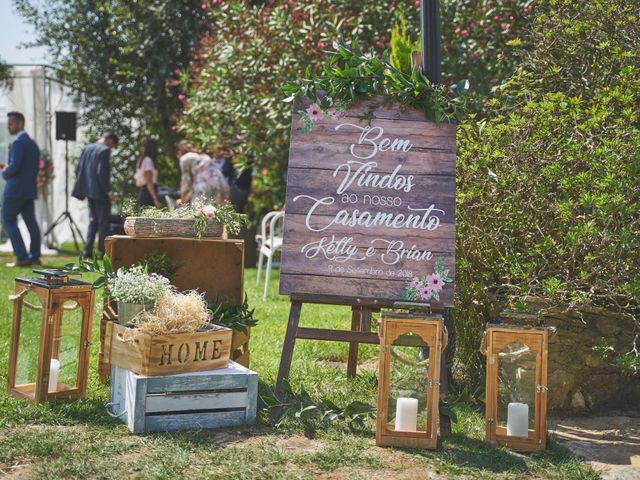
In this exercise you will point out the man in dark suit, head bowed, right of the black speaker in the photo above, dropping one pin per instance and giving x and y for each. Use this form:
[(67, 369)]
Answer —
[(93, 182)]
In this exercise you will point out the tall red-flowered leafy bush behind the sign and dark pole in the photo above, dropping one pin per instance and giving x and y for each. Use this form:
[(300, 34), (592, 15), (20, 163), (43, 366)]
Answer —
[(251, 50)]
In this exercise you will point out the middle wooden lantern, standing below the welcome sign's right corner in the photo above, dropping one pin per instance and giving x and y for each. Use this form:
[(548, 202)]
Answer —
[(409, 379)]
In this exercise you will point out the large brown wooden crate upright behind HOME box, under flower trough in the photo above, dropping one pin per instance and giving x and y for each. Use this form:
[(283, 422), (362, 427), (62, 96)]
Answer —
[(214, 267)]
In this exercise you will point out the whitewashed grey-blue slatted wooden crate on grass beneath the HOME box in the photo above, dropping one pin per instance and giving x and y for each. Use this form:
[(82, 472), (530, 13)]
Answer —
[(213, 399)]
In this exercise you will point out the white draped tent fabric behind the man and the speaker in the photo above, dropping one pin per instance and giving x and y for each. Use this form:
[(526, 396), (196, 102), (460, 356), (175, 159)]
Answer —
[(38, 95)]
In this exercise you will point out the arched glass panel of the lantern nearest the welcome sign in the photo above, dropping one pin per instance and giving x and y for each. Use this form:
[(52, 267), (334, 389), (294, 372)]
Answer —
[(408, 384)]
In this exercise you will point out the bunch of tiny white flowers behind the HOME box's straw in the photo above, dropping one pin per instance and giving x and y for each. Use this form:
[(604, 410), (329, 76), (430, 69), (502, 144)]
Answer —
[(136, 285)]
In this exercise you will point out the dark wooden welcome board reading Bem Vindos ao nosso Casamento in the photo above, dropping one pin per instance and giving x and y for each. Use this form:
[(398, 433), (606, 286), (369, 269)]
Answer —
[(370, 205)]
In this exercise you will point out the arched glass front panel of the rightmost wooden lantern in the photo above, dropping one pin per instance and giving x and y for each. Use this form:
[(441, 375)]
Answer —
[(516, 390)]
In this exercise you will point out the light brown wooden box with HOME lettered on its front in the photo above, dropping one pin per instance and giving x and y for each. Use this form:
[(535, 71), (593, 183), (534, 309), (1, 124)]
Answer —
[(151, 355)]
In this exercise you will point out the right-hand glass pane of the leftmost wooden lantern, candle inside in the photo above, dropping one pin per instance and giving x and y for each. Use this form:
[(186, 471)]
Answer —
[(66, 348)]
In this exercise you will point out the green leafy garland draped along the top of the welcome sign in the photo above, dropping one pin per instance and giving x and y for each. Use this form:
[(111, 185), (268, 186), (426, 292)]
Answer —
[(351, 74)]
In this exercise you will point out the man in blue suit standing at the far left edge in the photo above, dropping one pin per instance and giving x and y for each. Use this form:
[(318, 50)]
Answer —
[(20, 192)]
